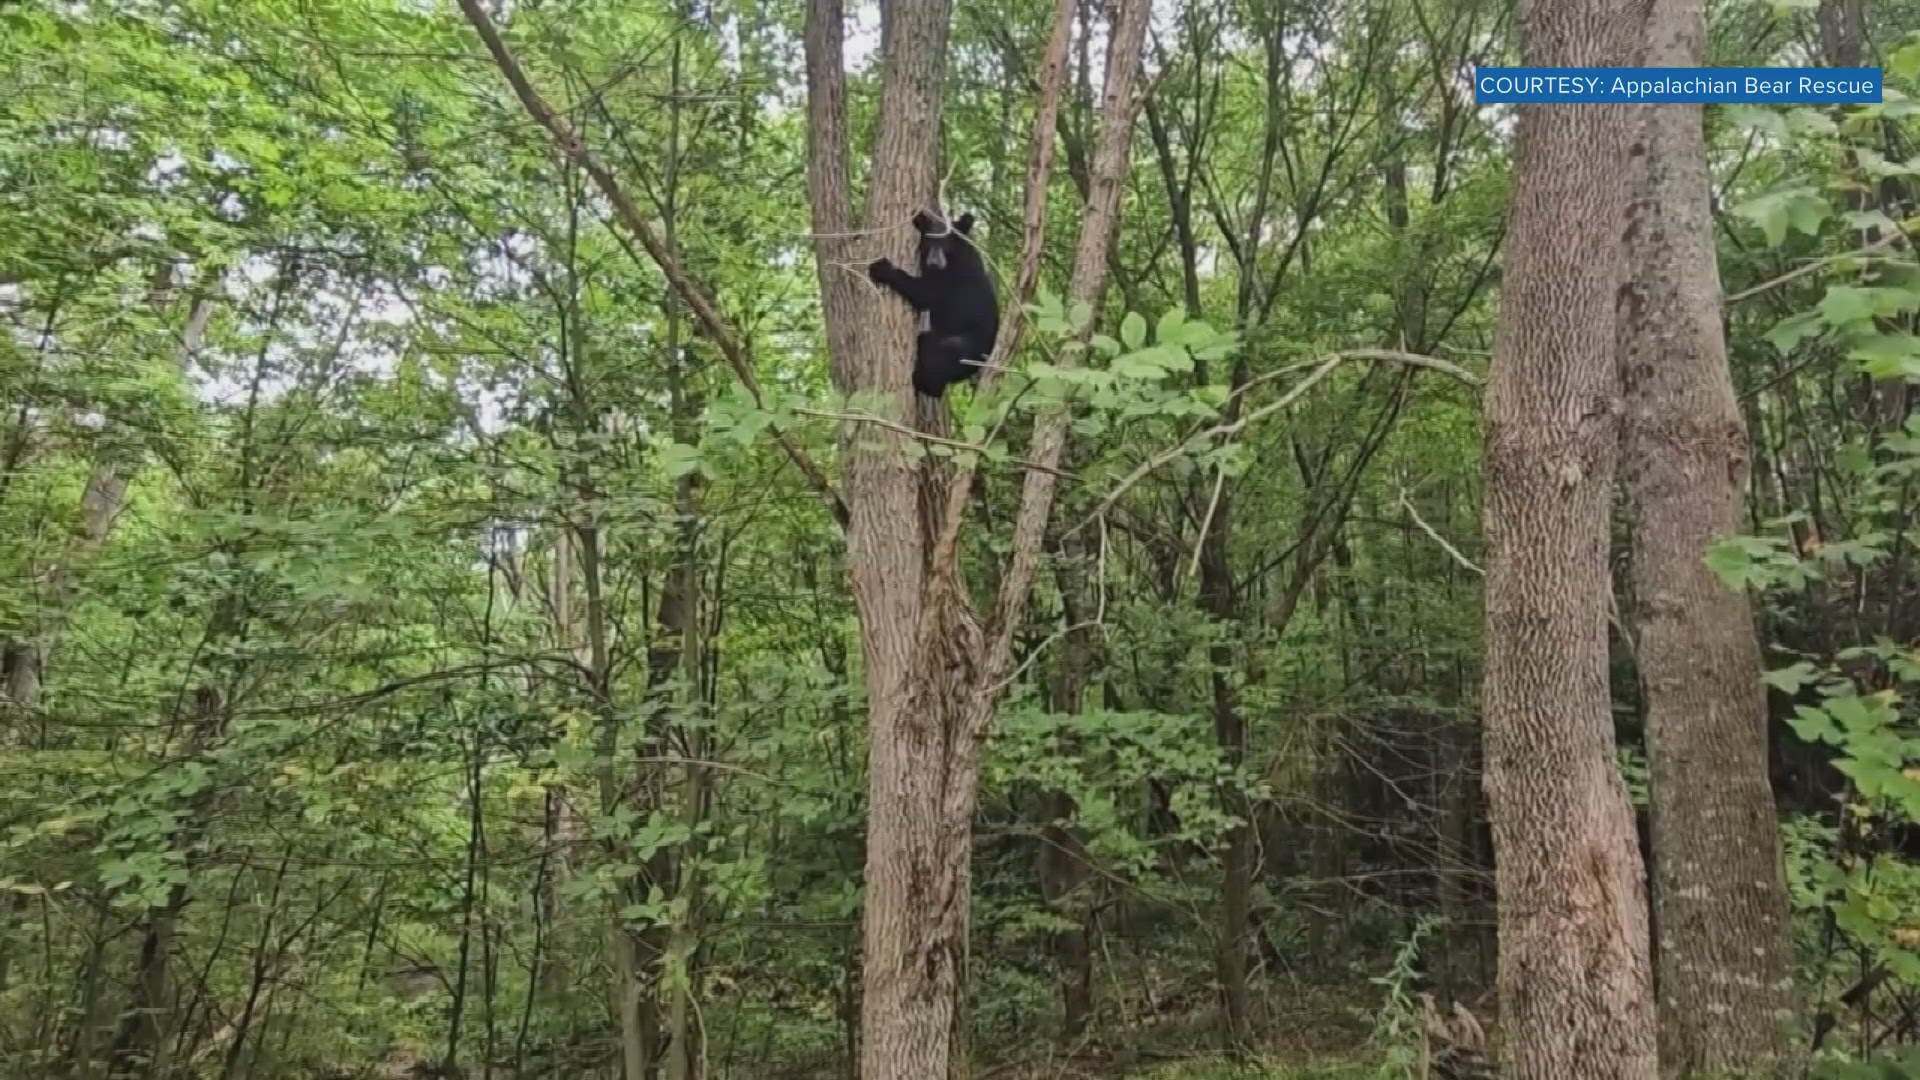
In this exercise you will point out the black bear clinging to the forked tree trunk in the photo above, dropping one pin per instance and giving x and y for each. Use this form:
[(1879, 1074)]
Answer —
[(957, 295)]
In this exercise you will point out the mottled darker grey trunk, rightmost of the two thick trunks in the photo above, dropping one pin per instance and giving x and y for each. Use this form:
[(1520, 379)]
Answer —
[(1719, 889)]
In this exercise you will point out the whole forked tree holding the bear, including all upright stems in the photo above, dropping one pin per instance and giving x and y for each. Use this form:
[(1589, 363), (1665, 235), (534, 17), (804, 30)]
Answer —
[(934, 672)]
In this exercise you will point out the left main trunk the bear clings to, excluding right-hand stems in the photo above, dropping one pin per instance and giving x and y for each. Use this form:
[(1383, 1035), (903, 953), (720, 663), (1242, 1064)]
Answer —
[(911, 971)]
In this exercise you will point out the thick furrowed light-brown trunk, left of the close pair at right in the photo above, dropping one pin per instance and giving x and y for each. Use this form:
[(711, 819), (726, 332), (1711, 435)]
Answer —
[(1575, 987)]
